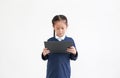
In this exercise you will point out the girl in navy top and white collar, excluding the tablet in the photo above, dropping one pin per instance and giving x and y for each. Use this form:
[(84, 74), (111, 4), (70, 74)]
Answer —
[(58, 65)]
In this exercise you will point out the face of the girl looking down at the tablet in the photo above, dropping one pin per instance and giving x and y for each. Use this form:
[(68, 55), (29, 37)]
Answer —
[(60, 28)]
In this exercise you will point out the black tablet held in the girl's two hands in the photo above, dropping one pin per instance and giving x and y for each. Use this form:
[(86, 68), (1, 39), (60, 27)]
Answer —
[(58, 46)]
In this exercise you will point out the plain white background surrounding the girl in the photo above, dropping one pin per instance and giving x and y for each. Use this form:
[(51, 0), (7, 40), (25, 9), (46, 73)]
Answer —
[(93, 24)]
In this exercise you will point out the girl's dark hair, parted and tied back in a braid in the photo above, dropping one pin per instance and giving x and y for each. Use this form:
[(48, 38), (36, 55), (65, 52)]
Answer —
[(59, 18)]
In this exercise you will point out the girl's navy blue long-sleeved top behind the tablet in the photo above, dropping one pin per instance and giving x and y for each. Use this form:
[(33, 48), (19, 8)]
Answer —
[(58, 65)]
